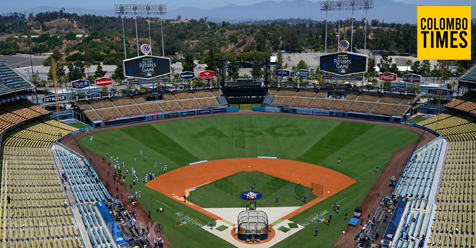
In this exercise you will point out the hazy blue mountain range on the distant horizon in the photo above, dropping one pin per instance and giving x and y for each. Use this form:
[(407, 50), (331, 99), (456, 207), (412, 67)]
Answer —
[(387, 11)]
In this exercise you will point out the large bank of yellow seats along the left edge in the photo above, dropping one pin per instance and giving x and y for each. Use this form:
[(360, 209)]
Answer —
[(35, 216)]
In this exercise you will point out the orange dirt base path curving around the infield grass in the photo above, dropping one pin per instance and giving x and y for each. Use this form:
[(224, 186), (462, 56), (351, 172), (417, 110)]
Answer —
[(176, 183)]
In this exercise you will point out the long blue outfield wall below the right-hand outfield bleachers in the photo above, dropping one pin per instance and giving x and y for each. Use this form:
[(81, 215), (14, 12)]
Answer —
[(332, 113)]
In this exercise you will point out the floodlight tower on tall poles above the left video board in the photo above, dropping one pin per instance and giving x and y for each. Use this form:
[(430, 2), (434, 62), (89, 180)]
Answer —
[(141, 9)]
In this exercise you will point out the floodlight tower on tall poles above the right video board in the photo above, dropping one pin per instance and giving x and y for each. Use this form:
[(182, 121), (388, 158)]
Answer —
[(338, 5)]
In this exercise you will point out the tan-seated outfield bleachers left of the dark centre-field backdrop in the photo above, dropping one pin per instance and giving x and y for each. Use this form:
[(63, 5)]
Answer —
[(123, 107)]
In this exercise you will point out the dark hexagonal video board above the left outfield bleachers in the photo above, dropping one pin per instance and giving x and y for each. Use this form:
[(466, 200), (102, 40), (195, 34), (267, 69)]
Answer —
[(146, 67)]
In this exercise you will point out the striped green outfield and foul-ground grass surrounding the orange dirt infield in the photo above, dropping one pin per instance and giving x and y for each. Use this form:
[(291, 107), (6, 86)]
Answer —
[(360, 146)]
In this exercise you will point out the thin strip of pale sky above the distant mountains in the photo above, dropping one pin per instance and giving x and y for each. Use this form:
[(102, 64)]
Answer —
[(22, 5)]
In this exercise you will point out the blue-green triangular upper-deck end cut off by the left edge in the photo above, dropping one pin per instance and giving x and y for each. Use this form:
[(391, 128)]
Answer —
[(11, 82)]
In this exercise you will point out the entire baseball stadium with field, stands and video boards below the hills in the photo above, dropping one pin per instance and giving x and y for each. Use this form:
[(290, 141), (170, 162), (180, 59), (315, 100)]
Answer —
[(238, 163)]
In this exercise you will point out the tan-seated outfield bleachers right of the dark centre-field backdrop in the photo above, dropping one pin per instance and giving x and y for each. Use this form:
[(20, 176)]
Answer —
[(372, 103)]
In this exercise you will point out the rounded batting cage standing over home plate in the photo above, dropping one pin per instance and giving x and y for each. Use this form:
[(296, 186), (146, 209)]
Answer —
[(252, 225)]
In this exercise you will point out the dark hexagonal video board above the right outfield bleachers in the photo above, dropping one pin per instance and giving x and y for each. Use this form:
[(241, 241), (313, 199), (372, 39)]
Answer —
[(343, 63)]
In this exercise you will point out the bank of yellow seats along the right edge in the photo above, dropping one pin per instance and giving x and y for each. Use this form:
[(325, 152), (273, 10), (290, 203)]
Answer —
[(454, 218)]
